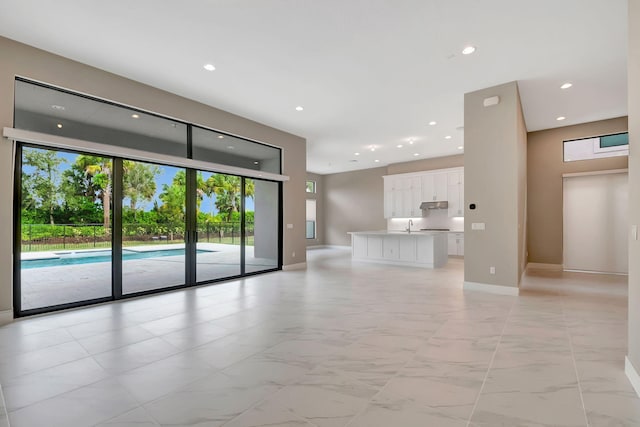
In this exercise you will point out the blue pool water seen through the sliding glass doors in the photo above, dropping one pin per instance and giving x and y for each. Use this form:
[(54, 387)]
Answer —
[(90, 257)]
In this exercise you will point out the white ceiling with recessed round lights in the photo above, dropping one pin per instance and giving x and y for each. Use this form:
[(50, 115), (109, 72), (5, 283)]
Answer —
[(367, 72)]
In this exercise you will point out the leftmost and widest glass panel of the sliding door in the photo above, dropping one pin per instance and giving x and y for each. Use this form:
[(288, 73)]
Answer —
[(66, 217)]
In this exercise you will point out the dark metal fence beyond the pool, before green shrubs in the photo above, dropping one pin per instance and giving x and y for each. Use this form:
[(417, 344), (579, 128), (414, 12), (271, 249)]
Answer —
[(47, 237)]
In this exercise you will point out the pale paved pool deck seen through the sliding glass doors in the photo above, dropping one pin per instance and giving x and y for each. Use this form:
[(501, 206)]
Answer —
[(46, 286)]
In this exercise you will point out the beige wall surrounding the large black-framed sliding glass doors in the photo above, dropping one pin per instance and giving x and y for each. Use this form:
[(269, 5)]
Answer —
[(22, 60)]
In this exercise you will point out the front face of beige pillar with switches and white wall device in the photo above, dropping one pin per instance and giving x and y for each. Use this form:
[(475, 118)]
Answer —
[(494, 141)]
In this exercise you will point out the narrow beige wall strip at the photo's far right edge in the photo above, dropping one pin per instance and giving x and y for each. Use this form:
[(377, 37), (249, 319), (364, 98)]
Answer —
[(634, 182)]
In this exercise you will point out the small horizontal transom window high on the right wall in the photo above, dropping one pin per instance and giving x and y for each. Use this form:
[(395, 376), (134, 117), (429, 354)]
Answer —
[(597, 147)]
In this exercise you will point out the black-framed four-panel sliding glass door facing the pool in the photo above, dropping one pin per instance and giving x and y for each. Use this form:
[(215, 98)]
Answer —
[(171, 227)]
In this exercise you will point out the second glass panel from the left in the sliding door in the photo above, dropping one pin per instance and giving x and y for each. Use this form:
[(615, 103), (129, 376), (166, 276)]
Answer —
[(153, 226)]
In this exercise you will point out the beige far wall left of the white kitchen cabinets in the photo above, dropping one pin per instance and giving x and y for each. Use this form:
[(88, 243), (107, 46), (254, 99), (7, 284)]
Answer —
[(353, 202)]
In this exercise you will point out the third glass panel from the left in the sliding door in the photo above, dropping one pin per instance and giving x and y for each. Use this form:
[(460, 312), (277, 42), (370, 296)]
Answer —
[(218, 226)]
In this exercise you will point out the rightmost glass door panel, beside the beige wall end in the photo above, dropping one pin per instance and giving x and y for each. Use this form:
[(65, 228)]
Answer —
[(261, 225)]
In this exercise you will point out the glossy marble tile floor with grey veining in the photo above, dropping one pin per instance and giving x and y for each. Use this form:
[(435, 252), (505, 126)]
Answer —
[(340, 344)]
